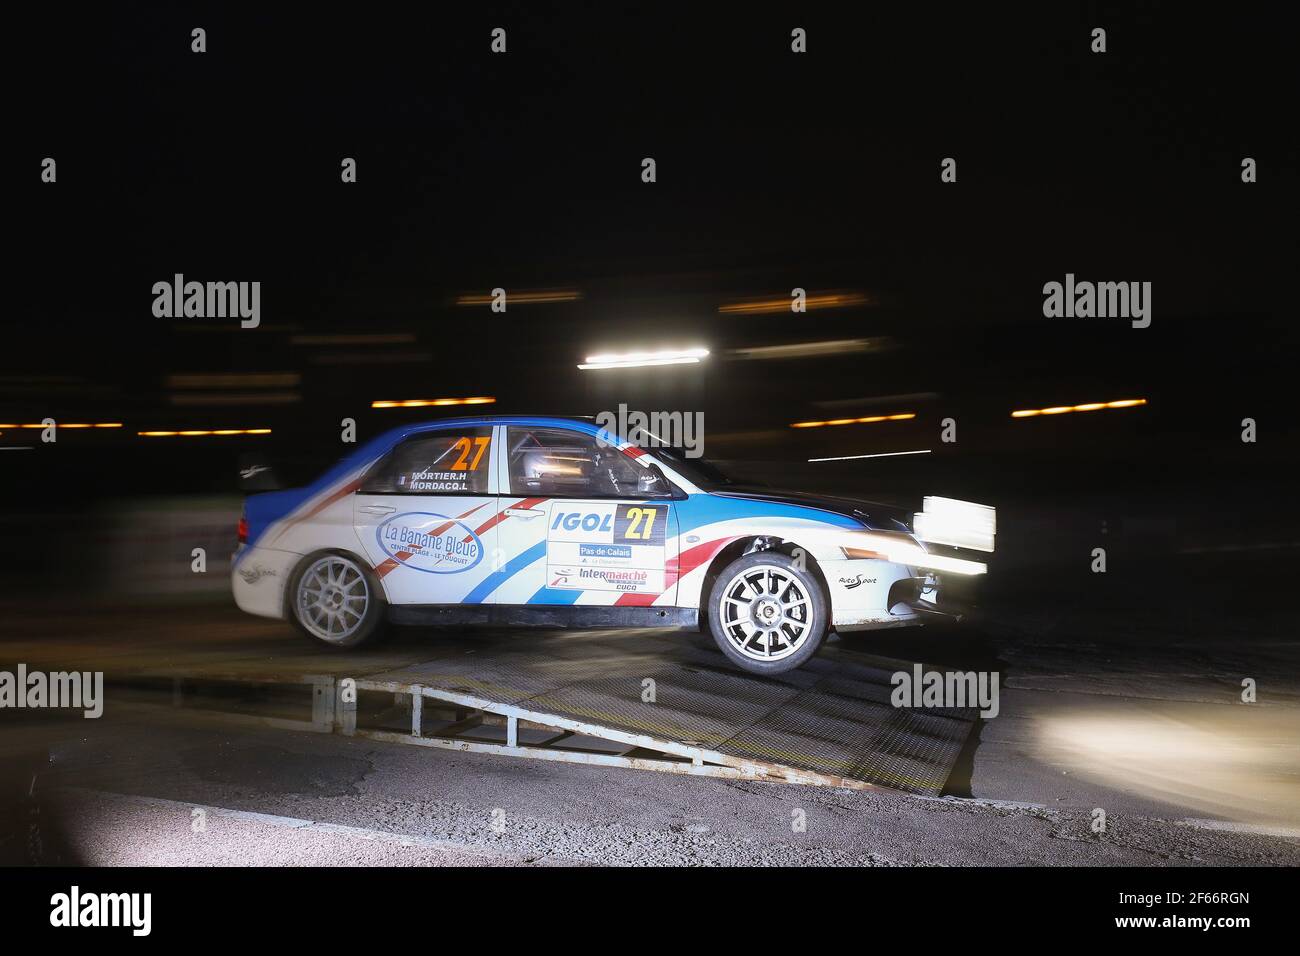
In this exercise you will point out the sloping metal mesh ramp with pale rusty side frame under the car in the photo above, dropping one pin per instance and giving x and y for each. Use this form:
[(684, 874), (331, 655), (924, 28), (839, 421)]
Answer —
[(660, 700)]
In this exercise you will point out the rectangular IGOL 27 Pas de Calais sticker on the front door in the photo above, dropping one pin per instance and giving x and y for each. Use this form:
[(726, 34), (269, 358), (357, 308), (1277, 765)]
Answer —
[(606, 547)]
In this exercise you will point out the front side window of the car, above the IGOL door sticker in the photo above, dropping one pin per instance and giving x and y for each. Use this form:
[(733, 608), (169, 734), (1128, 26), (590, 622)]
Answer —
[(556, 462)]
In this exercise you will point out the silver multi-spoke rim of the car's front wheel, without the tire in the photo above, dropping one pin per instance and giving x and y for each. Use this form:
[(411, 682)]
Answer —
[(766, 613)]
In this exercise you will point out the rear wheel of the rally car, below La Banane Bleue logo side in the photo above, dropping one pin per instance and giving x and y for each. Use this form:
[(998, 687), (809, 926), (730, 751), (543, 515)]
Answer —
[(335, 600)]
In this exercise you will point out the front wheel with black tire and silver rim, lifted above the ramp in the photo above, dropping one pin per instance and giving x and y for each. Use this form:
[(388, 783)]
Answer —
[(799, 613)]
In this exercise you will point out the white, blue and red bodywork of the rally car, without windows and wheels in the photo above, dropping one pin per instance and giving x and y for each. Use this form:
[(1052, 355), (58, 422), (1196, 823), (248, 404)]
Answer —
[(509, 550)]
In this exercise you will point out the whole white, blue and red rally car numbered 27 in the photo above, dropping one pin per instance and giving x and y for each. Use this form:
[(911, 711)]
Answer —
[(556, 522)]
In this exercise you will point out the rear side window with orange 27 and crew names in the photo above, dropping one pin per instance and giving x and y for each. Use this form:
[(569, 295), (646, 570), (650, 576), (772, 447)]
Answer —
[(453, 462)]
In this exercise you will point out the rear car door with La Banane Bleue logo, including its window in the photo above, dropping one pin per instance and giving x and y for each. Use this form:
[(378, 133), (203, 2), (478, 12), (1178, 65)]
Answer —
[(426, 516)]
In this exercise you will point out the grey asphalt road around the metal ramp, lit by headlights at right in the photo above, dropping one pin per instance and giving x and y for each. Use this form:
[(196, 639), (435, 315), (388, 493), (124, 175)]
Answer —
[(1145, 725)]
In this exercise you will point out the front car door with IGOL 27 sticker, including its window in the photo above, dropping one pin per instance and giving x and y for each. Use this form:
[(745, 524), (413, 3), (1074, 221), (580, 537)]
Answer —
[(583, 524)]
